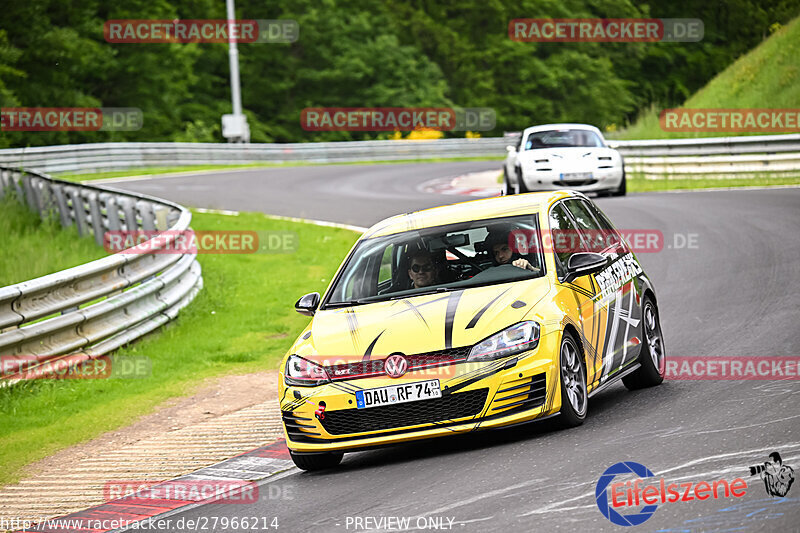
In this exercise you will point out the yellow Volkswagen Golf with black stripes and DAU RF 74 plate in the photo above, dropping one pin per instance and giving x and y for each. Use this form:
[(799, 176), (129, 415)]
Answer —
[(470, 316)]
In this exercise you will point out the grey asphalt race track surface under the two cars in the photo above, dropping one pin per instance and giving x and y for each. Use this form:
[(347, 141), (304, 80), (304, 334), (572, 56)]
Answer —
[(734, 292)]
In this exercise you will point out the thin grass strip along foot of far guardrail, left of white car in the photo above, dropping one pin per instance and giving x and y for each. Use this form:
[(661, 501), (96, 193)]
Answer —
[(202, 168)]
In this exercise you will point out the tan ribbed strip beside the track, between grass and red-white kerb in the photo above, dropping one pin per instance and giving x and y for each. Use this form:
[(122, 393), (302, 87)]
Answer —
[(227, 416)]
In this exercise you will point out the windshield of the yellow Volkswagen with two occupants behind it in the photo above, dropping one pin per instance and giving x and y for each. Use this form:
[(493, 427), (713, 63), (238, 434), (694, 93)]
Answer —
[(438, 259)]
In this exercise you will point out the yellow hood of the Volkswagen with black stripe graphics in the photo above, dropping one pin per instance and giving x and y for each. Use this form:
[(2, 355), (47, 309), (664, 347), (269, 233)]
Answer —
[(418, 324)]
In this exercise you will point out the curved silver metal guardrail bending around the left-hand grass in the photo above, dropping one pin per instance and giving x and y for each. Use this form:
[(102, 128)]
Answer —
[(84, 312)]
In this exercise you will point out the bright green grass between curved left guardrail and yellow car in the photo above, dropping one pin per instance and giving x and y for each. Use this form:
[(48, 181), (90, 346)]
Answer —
[(242, 321)]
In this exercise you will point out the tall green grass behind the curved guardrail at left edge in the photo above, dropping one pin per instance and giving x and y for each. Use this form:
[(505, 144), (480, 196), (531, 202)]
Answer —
[(31, 247)]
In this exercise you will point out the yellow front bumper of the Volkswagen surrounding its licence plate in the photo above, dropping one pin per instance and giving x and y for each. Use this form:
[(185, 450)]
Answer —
[(475, 396)]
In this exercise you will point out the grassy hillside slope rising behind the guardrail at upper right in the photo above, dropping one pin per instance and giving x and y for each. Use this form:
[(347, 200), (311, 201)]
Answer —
[(767, 77)]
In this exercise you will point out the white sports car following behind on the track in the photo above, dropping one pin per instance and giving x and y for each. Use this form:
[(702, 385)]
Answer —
[(563, 156)]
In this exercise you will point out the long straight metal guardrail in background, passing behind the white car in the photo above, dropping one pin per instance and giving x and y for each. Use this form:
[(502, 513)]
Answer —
[(658, 157)]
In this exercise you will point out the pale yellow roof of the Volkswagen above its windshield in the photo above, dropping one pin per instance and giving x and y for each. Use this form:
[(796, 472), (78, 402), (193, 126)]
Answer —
[(501, 206)]
